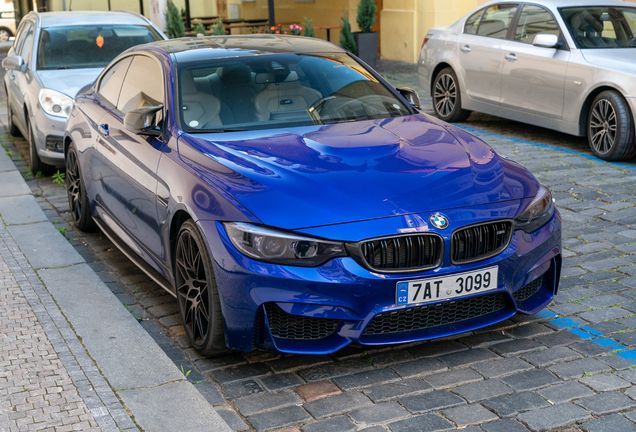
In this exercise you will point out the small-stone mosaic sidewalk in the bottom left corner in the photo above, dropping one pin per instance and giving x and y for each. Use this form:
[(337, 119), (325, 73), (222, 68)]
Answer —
[(47, 380)]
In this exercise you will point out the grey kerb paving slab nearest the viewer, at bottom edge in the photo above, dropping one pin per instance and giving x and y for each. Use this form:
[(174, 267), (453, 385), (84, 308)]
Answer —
[(154, 409)]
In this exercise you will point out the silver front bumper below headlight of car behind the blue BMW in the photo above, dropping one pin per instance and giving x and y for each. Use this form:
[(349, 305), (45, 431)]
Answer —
[(48, 133)]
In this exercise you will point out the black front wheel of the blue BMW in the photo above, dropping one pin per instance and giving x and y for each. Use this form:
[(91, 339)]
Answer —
[(197, 294)]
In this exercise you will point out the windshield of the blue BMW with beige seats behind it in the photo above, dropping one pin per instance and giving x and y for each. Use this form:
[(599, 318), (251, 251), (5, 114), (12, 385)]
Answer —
[(281, 90)]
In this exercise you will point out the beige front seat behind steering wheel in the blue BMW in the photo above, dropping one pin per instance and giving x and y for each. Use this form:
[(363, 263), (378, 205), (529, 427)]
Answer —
[(288, 95)]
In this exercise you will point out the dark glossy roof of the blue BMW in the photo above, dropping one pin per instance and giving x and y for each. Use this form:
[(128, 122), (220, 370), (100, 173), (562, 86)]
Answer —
[(201, 48)]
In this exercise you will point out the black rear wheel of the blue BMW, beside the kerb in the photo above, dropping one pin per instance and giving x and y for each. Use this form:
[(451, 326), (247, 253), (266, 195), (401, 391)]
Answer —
[(76, 191)]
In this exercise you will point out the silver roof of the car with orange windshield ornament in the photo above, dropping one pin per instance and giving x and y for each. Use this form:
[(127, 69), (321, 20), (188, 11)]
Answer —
[(52, 19)]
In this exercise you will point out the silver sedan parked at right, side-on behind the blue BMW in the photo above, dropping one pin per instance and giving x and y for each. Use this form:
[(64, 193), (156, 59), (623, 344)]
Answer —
[(568, 65)]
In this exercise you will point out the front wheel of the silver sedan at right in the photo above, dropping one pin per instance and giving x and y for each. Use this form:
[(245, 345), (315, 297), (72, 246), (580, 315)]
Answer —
[(610, 127)]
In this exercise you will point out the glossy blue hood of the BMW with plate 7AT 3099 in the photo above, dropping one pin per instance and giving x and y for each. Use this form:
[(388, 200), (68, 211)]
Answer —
[(328, 174)]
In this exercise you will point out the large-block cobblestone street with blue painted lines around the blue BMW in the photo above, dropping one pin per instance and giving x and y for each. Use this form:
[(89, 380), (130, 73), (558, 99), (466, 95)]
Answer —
[(570, 367)]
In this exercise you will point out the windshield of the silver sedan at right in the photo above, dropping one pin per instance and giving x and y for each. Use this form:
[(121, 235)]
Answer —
[(601, 26)]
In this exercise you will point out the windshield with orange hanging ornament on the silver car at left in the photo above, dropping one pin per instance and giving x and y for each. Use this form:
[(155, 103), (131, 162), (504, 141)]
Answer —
[(88, 46)]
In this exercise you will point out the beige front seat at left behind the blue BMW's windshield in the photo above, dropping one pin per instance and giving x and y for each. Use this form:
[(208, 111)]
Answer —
[(200, 110)]
